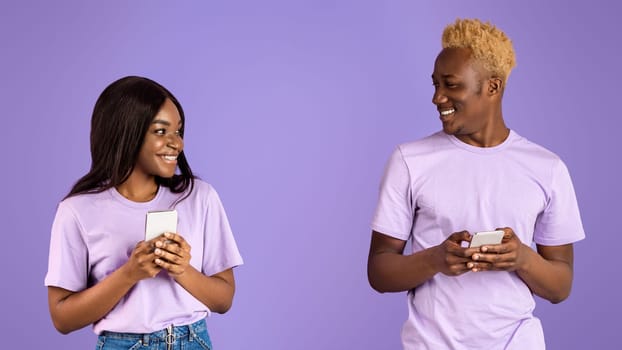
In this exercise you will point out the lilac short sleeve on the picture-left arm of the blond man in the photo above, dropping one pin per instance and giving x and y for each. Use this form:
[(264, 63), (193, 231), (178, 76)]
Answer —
[(395, 213)]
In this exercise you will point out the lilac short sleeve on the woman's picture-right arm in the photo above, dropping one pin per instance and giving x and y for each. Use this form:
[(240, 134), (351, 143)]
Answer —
[(220, 251)]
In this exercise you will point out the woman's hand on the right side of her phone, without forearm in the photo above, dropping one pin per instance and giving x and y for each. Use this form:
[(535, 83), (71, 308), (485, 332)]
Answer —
[(173, 254)]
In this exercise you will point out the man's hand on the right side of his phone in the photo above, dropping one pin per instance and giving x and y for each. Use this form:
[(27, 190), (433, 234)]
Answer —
[(507, 256)]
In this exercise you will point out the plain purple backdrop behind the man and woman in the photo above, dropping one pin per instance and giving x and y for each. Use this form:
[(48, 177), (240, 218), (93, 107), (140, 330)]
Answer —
[(293, 108)]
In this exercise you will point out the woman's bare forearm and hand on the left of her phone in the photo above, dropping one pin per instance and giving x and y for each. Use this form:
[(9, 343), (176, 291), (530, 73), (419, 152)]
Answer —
[(71, 311)]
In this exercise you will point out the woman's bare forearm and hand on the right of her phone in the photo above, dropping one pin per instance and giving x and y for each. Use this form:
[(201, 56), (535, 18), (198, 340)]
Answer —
[(215, 291)]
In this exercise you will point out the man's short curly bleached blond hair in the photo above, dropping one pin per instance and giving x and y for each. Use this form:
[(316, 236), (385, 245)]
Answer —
[(489, 45)]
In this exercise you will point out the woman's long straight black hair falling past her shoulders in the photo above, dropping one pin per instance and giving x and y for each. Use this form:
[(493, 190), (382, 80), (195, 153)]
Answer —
[(121, 118)]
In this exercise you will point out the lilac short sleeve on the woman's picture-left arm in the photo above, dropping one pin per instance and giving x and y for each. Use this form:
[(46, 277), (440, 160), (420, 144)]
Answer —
[(68, 257)]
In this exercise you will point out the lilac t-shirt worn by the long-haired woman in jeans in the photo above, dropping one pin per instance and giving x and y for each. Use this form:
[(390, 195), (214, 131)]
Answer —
[(94, 234)]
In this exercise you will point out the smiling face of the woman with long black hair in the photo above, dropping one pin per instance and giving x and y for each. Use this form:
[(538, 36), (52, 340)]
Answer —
[(162, 144)]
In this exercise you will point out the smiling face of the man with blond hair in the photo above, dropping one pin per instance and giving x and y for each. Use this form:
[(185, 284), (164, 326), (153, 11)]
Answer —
[(460, 96)]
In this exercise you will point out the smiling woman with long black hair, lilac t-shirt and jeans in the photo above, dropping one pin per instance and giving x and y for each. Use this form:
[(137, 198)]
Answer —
[(136, 293)]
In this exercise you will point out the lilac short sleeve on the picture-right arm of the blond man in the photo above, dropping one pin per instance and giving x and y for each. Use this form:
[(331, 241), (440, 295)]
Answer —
[(560, 222)]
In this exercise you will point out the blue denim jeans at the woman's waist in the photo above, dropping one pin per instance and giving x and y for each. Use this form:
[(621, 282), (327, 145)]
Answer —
[(190, 337)]
